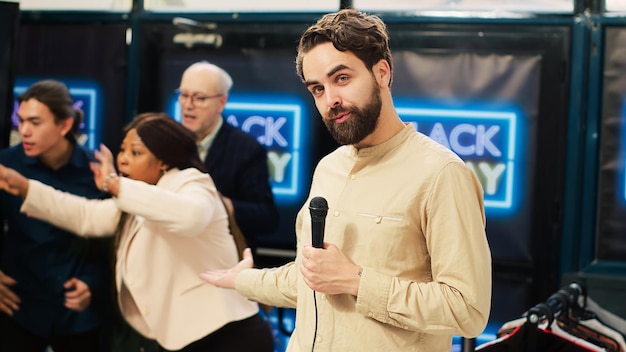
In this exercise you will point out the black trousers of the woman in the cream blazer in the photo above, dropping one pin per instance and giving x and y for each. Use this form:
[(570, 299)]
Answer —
[(251, 334)]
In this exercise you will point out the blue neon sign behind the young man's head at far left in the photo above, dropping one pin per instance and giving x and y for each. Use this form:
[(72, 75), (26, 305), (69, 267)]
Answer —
[(85, 95)]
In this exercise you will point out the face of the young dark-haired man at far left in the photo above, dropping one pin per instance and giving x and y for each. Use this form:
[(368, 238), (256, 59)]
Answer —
[(39, 132)]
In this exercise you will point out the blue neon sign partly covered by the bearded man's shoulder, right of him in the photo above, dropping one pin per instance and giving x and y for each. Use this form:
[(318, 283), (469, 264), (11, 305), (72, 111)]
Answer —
[(487, 139)]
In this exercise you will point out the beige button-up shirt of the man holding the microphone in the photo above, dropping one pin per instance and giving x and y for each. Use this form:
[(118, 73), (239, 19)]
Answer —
[(411, 214)]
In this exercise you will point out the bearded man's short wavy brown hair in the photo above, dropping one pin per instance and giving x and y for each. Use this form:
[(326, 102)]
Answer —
[(348, 30)]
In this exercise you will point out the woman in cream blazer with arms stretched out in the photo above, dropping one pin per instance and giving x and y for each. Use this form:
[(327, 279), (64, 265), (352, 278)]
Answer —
[(170, 225)]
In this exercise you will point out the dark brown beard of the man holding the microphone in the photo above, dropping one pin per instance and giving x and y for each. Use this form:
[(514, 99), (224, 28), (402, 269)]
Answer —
[(362, 122)]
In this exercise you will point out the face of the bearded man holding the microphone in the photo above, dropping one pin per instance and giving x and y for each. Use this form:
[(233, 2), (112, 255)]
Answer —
[(345, 91)]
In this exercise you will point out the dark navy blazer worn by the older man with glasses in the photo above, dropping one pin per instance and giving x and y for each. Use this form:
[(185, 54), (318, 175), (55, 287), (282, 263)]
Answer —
[(237, 162)]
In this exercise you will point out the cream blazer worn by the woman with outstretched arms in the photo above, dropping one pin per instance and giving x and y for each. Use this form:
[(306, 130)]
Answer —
[(176, 230)]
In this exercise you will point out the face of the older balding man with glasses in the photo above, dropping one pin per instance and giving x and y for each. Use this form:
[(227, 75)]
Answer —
[(200, 102)]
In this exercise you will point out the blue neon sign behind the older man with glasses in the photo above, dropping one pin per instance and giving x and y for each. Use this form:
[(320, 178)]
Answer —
[(276, 122)]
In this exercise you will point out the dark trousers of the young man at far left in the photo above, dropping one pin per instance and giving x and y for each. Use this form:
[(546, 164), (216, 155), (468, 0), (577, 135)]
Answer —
[(14, 338)]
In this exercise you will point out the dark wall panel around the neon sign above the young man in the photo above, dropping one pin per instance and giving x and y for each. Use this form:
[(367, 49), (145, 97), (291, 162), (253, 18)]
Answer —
[(93, 55)]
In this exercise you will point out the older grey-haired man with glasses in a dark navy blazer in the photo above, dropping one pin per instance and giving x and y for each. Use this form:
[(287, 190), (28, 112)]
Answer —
[(235, 160)]
